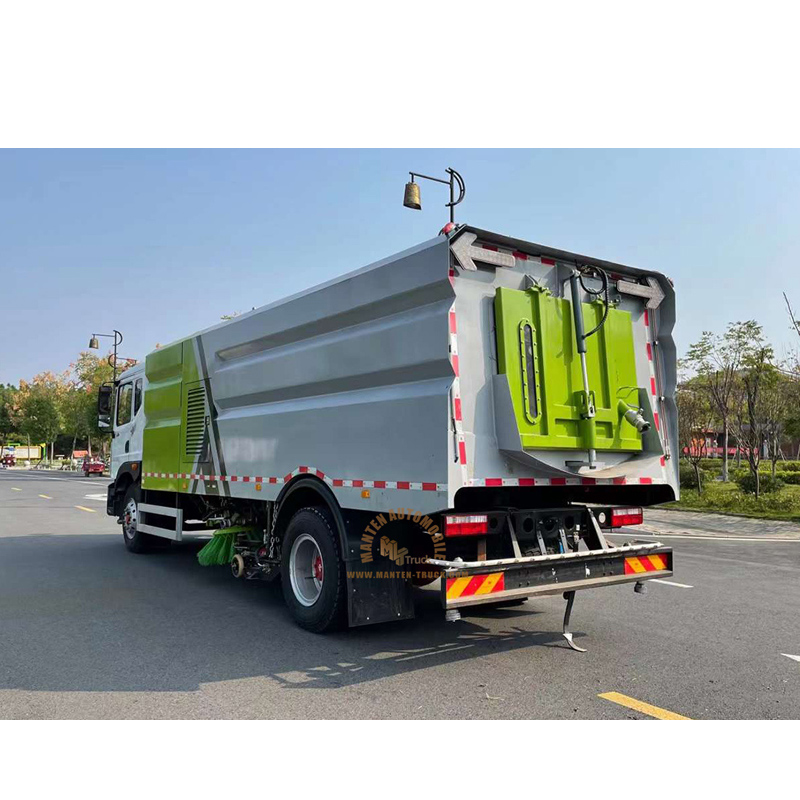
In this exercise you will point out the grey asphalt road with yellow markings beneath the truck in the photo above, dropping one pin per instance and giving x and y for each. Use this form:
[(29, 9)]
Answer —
[(88, 630)]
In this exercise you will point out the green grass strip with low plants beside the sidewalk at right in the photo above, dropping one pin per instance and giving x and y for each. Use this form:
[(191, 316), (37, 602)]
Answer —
[(727, 498)]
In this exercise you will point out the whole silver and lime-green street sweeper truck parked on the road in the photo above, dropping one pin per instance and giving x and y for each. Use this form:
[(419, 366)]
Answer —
[(477, 412)]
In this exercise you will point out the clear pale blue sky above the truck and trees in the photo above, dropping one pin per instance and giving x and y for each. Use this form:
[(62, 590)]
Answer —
[(160, 243)]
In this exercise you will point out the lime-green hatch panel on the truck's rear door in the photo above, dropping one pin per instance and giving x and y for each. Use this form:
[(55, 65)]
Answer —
[(549, 413)]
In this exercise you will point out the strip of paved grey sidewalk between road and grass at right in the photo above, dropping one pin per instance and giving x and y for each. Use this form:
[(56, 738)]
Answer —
[(698, 523)]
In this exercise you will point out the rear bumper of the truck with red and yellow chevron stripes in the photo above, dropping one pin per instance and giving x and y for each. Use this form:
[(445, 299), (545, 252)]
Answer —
[(478, 582)]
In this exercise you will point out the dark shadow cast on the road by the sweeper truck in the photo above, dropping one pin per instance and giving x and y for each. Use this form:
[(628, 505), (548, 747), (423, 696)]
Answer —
[(79, 613)]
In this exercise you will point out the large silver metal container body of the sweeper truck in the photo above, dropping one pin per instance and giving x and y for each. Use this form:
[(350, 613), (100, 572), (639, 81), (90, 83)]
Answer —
[(385, 384)]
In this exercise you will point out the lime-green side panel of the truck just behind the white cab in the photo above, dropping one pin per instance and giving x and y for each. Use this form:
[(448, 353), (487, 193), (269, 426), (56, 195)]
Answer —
[(170, 371)]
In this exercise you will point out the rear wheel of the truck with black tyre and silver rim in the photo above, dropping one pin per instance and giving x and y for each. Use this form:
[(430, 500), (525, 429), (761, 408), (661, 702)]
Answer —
[(312, 571)]
